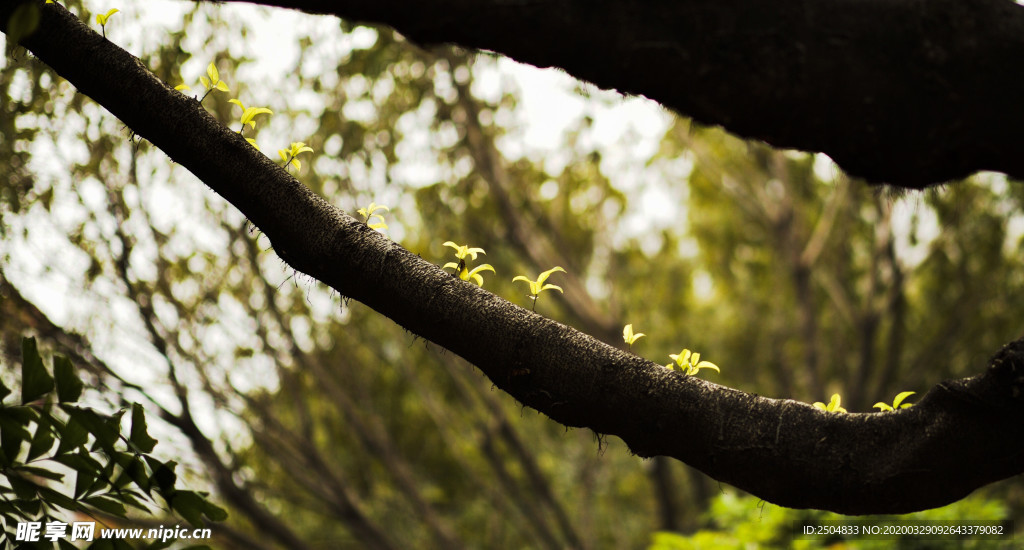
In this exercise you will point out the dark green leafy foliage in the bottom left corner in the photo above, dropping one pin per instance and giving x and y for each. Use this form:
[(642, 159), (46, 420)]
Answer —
[(48, 433)]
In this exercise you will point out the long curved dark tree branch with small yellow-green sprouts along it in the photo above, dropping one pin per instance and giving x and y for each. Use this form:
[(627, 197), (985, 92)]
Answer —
[(963, 434)]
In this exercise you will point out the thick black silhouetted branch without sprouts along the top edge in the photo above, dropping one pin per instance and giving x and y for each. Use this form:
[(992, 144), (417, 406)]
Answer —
[(900, 92)]
